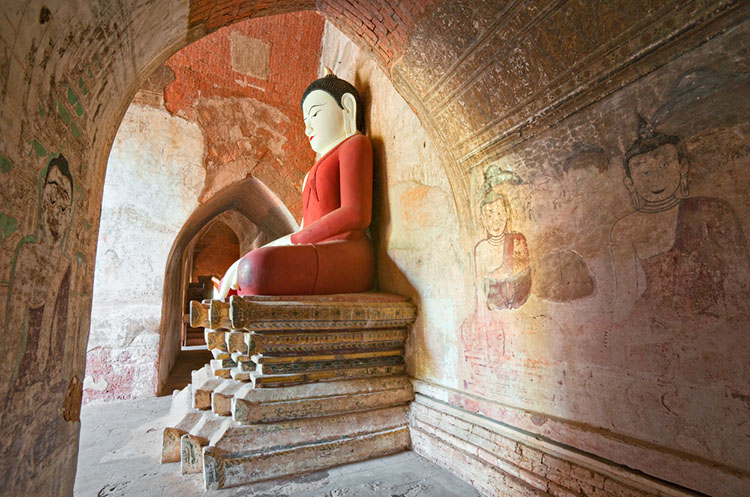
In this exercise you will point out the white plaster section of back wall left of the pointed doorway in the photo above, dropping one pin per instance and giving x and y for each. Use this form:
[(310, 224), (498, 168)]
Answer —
[(154, 176)]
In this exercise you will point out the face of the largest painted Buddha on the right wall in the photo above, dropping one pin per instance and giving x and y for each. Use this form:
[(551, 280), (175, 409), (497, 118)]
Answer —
[(656, 174)]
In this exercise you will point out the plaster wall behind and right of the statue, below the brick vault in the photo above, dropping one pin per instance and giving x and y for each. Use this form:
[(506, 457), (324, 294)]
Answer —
[(593, 324)]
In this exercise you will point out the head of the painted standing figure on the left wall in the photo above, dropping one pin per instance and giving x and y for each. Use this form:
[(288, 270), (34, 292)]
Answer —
[(57, 198)]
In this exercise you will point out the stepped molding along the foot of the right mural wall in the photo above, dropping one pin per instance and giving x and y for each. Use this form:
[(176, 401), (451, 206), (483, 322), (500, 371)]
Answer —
[(517, 456)]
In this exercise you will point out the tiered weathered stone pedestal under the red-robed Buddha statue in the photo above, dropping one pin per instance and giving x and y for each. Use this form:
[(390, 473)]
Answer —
[(339, 396)]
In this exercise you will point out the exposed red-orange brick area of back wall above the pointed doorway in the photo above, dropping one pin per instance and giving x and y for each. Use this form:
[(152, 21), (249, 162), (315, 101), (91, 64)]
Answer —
[(238, 84)]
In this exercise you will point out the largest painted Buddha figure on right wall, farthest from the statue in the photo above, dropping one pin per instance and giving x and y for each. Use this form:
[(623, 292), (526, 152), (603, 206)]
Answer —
[(674, 253)]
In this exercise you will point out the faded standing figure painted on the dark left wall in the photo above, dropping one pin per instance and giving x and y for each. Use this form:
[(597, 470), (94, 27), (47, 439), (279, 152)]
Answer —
[(41, 363)]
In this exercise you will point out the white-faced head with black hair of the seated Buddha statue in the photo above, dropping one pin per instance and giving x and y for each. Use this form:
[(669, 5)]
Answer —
[(332, 111)]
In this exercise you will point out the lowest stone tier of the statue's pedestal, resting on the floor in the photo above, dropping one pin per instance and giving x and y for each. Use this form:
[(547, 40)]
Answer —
[(245, 454)]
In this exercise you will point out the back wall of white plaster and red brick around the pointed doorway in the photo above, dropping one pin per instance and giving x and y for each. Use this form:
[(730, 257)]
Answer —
[(230, 90)]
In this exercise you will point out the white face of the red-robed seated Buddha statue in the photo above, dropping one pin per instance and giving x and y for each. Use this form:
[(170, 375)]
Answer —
[(324, 121)]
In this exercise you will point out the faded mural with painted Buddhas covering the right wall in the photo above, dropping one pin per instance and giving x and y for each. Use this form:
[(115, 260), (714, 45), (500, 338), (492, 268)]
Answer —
[(611, 262)]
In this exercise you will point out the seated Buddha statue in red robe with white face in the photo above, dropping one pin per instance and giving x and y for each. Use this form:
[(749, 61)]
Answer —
[(331, 252)]
